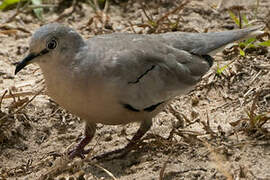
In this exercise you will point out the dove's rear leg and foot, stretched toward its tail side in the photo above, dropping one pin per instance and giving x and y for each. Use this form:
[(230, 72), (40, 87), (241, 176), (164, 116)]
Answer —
[(144, 127)]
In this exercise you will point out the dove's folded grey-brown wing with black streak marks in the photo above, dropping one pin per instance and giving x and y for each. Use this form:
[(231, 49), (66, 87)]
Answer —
[(148, 73)]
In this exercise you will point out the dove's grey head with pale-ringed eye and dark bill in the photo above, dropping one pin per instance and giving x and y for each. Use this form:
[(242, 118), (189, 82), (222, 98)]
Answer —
[(50, 43)]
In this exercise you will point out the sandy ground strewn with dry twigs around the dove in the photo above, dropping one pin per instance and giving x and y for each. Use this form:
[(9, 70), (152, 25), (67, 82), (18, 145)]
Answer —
[(220, 130)]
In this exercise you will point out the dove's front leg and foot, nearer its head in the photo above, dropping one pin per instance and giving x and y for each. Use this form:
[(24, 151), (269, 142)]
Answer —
[(79, 151)]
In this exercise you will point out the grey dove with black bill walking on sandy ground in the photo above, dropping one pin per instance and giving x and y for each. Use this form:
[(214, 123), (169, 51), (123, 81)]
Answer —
[(121, 78)]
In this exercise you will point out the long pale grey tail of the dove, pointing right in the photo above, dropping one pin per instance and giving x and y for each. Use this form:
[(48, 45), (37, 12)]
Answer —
[(208, 43)]
